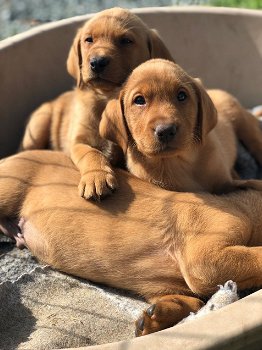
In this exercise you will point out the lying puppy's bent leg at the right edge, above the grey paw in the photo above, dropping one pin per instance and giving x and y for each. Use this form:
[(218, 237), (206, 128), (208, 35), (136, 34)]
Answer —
[(215, 265)]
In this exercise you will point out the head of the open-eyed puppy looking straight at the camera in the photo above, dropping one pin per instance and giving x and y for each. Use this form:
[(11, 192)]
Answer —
[(161, 111)]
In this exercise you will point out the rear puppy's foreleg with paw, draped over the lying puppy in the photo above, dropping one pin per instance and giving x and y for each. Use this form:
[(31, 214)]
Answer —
[(97, 177)]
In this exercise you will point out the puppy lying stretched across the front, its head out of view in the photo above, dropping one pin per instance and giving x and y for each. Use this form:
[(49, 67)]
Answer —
[(170, 247)]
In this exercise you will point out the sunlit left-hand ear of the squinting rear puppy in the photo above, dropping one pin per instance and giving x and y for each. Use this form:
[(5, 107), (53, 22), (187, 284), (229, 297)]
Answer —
[(74, 60)]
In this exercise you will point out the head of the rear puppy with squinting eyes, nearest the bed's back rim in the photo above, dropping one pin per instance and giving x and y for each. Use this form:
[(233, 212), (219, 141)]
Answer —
[(109, 46)]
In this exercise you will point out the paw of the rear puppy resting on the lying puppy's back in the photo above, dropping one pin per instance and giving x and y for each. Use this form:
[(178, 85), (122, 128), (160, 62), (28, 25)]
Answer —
[(97, 184)]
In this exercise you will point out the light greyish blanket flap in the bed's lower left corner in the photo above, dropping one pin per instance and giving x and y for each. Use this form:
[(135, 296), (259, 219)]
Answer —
[(46, 309)]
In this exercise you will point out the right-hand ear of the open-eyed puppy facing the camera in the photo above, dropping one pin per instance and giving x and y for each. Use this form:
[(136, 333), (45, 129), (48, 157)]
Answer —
[(206, 114)]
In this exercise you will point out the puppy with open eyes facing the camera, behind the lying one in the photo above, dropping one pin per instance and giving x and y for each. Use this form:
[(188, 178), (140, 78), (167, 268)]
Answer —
[(172, 134)]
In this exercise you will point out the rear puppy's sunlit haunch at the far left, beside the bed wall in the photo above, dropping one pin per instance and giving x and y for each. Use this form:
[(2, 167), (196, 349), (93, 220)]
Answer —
[(37, 132)]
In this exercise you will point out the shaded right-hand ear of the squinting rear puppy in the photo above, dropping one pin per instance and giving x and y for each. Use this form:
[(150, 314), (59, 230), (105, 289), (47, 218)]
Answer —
[(157, 47)]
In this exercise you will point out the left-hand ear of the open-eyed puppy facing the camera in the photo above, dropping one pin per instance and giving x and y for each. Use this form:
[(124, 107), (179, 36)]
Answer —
[(112, 126)]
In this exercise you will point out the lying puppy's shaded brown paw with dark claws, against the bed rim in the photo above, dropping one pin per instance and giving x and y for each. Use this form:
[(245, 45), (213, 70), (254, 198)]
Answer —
[(165, 312)]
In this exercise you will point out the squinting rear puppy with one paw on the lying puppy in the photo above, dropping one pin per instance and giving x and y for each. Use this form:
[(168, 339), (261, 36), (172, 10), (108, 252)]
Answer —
[(104, 52)]
